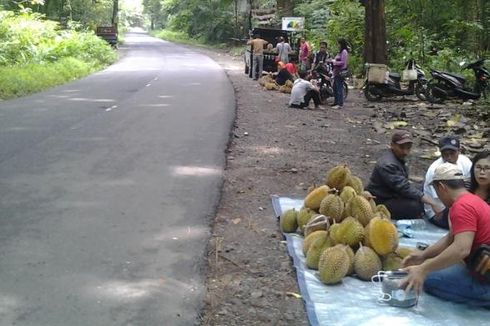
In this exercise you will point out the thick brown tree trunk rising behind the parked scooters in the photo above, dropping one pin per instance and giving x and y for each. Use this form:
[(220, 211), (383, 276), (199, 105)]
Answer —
[(375, 32)]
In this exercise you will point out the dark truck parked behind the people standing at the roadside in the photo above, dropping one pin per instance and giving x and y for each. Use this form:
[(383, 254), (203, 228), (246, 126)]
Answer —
[(271, 36)]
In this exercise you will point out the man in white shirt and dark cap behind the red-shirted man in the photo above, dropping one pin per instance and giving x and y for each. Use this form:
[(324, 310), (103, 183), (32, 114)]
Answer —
[(449, 147)]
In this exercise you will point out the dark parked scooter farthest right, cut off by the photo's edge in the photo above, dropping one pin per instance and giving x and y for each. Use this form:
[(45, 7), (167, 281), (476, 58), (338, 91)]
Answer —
[(444, 85)]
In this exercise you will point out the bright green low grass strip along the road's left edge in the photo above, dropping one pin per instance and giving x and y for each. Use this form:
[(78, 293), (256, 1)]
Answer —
[(16, 81)]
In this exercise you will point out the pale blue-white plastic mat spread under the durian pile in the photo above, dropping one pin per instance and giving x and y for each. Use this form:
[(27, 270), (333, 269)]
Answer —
[(354, 302)]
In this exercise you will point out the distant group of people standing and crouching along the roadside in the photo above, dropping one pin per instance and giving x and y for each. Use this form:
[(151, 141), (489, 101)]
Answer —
[(303, 90)]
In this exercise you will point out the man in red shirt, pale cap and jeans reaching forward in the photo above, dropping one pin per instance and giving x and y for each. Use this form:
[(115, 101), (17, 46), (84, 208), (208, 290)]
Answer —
[(439, 269)]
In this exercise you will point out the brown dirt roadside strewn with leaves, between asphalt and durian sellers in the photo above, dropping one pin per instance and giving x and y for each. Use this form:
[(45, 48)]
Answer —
[(279, 150)]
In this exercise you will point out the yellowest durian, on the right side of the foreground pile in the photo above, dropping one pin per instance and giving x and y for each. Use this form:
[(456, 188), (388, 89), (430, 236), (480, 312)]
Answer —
[(382, 235)]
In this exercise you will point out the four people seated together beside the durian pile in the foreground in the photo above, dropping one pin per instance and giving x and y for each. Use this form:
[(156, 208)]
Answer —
[(456, 196)]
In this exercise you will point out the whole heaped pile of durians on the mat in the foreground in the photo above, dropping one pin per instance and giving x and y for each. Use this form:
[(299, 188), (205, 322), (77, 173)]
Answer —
[(345, 232)]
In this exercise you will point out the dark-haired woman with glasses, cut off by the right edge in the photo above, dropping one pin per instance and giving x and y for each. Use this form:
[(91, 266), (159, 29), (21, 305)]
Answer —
[(480, 176)]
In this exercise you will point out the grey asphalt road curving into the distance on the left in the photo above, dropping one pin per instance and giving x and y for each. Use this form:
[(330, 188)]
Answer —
[(108, 186)]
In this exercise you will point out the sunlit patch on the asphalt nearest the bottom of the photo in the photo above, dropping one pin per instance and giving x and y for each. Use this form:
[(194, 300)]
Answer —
[(129, 290)]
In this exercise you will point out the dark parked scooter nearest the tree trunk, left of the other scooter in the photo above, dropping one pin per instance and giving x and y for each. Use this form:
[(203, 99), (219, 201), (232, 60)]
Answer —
[(391, 87)]
